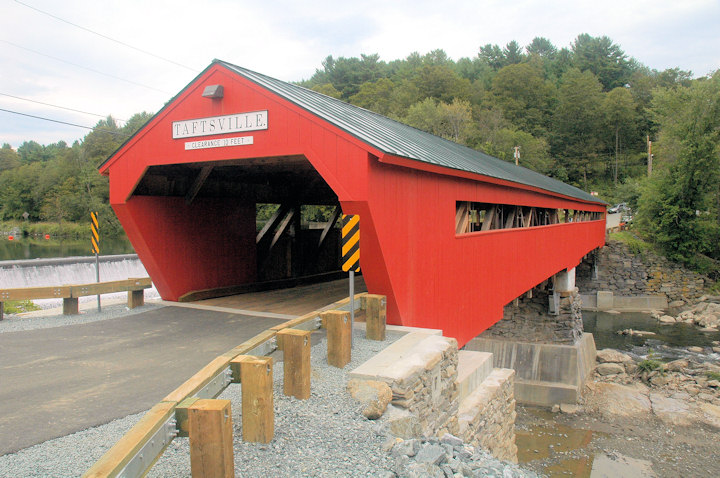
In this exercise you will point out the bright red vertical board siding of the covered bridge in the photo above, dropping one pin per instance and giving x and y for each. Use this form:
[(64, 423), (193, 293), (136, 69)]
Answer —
[(431, 277)]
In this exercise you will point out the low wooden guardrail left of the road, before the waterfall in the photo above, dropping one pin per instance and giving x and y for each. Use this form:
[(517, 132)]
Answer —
[(70, 293)]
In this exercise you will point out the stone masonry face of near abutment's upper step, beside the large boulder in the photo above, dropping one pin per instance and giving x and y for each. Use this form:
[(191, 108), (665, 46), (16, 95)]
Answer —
[(429, 391)]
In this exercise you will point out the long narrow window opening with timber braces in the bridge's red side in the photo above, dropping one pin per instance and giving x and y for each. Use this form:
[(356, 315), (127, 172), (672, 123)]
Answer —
[(477, 217)]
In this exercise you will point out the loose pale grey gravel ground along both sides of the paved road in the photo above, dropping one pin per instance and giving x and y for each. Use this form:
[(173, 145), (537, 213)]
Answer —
[(324, 436)]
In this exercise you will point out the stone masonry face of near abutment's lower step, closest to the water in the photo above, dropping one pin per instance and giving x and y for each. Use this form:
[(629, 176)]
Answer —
[(487, 416)]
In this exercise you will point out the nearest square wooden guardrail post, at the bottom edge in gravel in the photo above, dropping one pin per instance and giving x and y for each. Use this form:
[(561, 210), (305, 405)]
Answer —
[(211, 440)]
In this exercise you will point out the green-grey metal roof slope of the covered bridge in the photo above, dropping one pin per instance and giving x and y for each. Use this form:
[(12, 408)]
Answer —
[(393, 137)]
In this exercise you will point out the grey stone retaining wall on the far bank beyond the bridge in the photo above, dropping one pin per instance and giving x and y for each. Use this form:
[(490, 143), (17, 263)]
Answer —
[(627, 274)]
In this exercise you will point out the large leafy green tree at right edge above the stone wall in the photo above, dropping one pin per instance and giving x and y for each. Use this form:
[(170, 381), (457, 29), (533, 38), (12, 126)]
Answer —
[(680, 206)]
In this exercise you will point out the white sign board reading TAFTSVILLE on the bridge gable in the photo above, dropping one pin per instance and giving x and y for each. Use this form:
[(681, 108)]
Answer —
[(236, 123)]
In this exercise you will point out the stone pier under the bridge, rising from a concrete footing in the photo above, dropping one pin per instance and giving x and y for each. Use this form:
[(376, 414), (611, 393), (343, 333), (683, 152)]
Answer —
[(530, 321)]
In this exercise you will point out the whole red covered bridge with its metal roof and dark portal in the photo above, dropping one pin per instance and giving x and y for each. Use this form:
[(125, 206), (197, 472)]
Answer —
[(450, 235)]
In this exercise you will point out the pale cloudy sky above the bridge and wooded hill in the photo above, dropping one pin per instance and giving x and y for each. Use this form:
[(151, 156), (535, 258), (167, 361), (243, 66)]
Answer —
[(118, 58)]
